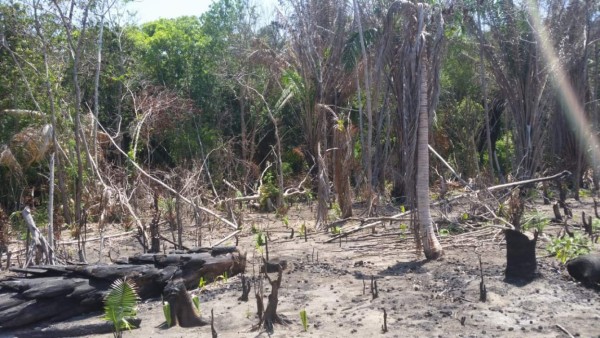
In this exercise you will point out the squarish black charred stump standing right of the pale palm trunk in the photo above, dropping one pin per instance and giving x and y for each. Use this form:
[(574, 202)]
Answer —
[(521, 262)]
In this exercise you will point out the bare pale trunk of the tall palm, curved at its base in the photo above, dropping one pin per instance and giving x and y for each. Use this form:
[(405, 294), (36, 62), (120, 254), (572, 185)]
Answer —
[(431, 245)]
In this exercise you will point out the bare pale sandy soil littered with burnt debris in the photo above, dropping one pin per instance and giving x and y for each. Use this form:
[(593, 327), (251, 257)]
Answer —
[(332, 282)]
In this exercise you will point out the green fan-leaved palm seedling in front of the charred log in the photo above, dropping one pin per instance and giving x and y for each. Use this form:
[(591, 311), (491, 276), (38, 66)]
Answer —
[(120, 305)]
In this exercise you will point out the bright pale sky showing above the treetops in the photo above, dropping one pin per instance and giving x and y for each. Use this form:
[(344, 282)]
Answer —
[(149, 10)]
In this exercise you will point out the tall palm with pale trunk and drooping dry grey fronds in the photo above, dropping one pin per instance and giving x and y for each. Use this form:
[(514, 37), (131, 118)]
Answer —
[(415, 62)]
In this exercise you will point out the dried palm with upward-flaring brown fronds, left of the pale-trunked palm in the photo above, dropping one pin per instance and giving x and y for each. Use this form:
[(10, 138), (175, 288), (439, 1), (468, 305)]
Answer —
[(318, 31)]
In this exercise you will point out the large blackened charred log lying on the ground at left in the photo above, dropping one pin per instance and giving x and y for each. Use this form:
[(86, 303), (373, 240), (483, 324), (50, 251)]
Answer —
[(54, 293)]
